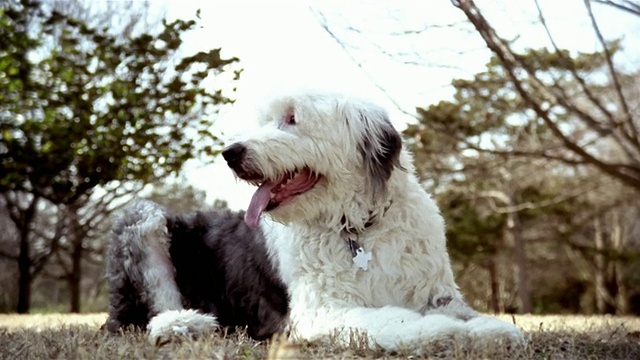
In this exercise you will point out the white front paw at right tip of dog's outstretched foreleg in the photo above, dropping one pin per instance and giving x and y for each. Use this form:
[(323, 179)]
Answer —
[(486, 328)]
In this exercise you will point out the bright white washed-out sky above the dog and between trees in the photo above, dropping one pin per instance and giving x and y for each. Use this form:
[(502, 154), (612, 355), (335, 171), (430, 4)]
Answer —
[(282, 42)]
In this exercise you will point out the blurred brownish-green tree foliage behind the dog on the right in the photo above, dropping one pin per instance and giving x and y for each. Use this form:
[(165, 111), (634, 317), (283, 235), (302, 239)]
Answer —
[(507, 184)]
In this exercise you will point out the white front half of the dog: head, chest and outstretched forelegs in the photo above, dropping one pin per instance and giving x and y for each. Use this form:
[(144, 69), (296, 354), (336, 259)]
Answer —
[(358, 242)]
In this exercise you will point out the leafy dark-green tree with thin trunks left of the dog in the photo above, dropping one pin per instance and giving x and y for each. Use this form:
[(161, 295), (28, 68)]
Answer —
[(90, 111)]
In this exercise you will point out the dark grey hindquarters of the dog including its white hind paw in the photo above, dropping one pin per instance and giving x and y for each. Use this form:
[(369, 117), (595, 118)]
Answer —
[(188, 274)]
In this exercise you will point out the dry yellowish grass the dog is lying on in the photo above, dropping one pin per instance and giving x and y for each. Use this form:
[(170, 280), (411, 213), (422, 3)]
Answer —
[(79, 337)]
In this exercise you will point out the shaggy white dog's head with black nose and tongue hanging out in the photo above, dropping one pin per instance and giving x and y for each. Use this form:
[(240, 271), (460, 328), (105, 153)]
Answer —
[(316, 154)]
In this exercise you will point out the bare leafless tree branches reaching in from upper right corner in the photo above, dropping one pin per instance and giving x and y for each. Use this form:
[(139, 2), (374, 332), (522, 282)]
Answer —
[(604, 132)]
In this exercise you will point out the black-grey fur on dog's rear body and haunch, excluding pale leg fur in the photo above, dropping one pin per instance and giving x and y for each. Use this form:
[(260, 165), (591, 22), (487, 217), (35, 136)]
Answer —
[(221, 267)]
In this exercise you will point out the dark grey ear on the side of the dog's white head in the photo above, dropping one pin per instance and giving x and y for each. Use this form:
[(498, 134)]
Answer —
[(380, 148)]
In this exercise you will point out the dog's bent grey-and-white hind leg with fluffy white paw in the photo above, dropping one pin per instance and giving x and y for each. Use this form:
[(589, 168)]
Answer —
[(139, 256)]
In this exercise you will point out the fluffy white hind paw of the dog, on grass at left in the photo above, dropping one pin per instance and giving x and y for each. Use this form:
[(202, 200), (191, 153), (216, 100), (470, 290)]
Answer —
[(179, 323)]
